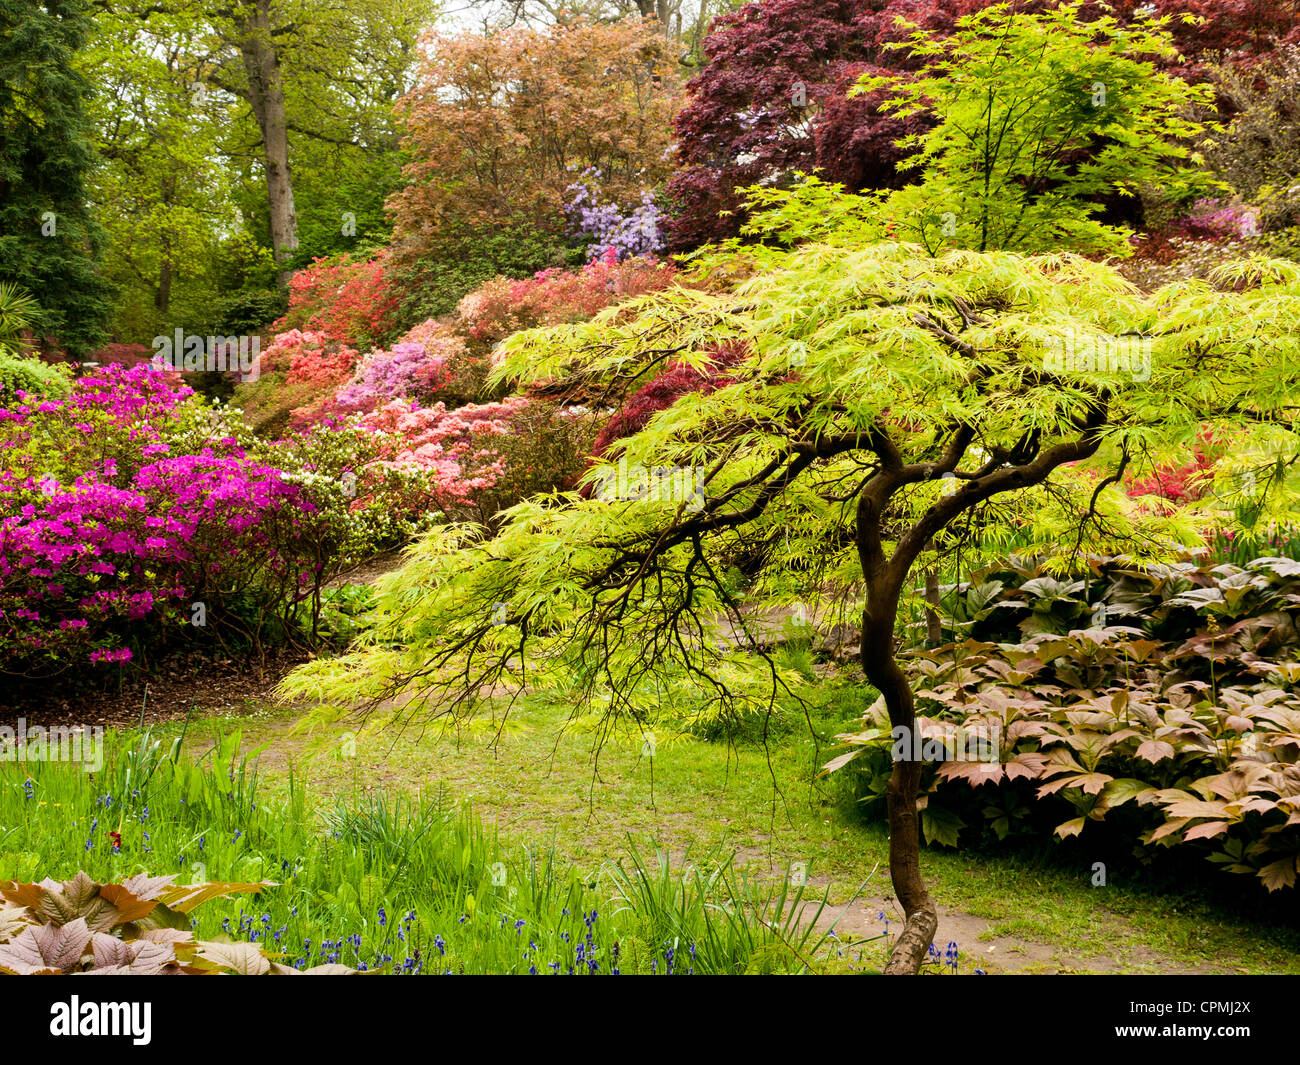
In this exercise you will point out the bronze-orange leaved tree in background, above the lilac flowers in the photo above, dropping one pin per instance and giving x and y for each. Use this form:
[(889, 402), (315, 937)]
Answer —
[(501, 124)]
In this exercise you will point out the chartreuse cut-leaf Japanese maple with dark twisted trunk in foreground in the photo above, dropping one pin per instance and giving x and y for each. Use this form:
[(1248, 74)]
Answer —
[(887, 399)]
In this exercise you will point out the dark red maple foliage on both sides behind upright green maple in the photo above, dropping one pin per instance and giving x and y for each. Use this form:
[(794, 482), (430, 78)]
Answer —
[(773, 98)]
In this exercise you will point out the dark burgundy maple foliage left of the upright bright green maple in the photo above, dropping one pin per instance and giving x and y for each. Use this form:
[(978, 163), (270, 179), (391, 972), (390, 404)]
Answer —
[(773, 101)]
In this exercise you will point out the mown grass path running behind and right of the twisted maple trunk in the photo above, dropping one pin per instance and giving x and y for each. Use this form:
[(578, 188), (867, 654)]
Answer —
[(697, 799)]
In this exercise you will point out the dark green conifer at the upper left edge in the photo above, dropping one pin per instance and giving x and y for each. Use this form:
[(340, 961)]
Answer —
[(50, 243)]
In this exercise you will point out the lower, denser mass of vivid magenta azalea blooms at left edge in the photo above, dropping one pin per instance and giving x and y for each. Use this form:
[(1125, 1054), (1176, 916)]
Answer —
[(89, 566)]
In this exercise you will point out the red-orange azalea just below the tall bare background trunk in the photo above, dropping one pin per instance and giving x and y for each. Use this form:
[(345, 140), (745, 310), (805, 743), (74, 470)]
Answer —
[(343, 301)]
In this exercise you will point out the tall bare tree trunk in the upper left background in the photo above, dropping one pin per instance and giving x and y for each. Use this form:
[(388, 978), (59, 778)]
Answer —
[(267, 98)]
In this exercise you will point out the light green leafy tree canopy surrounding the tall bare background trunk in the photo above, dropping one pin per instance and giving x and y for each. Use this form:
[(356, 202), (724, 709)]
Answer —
[(190, 200)]
